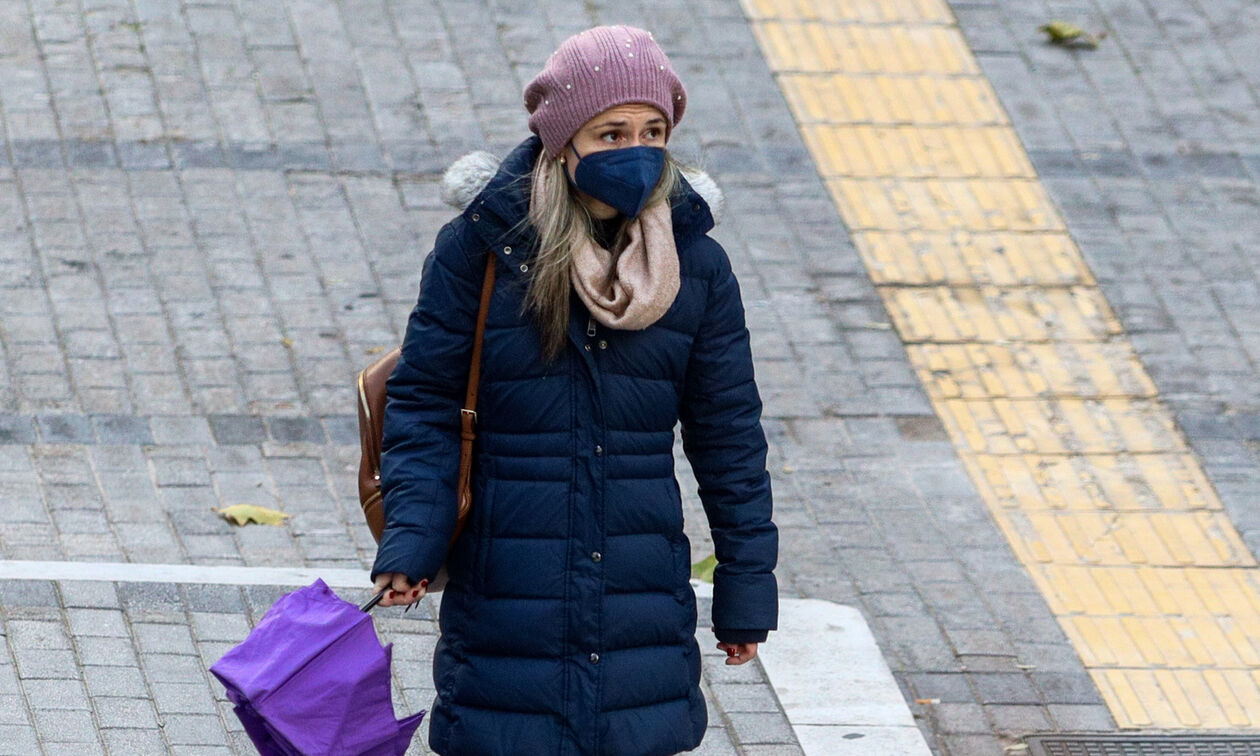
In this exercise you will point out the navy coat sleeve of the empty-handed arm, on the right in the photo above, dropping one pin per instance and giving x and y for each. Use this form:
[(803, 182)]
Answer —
[(726, 445)]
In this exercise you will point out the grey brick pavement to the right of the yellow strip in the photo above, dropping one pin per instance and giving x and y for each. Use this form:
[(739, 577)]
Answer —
[(1151, 148)]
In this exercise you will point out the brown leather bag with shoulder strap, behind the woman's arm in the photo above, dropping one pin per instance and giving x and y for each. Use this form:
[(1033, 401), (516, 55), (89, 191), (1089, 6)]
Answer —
[(372, 414)]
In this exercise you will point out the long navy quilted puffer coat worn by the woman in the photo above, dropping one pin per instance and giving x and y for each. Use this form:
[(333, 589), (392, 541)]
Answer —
[(569, 623)]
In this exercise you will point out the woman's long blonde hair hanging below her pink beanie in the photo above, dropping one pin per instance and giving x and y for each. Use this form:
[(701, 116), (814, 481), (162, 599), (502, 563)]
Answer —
[(559, 221)]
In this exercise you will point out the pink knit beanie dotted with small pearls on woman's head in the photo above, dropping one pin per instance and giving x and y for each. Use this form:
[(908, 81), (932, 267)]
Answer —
[(594, 71)]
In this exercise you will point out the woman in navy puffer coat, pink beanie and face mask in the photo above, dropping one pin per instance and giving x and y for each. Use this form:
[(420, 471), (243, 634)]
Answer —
[(569, 622)]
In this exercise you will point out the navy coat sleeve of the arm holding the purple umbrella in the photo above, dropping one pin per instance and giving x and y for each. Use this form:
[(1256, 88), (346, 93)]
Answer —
[(420, 453)]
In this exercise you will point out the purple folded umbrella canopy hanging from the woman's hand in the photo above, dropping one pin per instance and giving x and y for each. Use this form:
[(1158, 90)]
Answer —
[(313, 679)]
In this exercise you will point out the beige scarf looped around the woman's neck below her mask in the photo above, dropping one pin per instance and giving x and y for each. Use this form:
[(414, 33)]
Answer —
[(644, 280)]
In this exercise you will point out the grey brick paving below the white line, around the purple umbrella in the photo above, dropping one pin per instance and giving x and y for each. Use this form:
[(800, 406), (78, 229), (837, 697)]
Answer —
[(123, 670)]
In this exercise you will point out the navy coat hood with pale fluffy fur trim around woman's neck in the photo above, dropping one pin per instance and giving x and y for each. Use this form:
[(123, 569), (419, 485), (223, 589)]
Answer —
[(495, 200)]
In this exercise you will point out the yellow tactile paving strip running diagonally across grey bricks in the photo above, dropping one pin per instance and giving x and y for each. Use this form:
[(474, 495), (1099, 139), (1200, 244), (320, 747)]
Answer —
[(1054, 416)]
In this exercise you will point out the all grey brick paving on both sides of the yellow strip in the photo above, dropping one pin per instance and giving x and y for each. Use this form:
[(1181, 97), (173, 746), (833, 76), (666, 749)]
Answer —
[(215, 214)]
